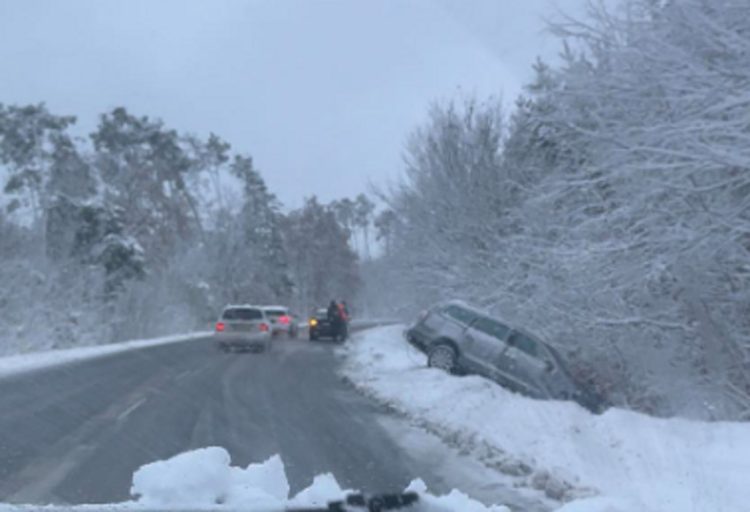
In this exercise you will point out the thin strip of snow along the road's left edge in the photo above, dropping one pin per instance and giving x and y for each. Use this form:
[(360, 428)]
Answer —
[(12, 365)]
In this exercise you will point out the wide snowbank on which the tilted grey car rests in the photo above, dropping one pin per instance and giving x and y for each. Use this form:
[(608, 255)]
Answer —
[(633, 461)]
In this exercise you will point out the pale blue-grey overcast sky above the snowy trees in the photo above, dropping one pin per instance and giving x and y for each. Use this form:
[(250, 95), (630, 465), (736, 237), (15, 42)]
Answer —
[(321, 93)]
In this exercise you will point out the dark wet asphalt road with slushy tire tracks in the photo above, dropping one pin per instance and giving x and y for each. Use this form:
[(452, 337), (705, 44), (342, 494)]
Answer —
[(75, 433)]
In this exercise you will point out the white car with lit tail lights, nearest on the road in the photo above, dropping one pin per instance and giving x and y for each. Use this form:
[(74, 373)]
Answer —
[(243, 327)]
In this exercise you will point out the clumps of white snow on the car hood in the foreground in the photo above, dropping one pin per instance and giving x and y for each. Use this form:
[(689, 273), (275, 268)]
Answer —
[(204, 478)]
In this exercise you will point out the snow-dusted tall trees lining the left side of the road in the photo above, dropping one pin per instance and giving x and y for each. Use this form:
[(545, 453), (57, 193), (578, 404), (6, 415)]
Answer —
[(139, 230)]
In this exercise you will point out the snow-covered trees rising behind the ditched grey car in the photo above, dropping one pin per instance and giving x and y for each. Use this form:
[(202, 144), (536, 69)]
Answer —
[(609, 212)]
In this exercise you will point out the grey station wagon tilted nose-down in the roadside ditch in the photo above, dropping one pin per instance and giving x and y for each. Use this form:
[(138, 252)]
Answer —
[(459, 338)]
